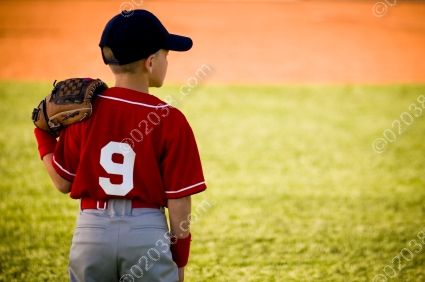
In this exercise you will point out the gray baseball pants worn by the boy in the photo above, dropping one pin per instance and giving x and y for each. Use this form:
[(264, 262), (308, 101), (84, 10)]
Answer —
[(122, 244)]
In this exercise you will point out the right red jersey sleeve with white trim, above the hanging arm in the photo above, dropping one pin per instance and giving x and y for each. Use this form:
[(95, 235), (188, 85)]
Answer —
[(181, 167)]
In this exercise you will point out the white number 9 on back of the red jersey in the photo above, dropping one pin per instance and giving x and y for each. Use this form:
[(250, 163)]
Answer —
[(125, 169)]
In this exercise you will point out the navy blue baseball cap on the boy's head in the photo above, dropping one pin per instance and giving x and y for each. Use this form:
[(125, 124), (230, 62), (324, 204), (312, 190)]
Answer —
[(138, 35)]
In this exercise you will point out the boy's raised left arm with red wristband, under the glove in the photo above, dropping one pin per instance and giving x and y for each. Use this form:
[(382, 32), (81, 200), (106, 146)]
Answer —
[(46, 146)]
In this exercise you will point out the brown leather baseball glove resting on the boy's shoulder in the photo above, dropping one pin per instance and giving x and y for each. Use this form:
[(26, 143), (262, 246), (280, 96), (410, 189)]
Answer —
[(69, 102)]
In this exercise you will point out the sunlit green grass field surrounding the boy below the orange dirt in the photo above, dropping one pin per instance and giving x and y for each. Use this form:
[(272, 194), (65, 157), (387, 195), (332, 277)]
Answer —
[(296, 191)]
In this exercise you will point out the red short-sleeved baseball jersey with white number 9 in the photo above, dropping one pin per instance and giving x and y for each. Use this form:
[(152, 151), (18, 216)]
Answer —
[(134, 146)]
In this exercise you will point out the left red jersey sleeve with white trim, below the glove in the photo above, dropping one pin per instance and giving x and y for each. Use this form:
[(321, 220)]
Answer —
[(66, 155)]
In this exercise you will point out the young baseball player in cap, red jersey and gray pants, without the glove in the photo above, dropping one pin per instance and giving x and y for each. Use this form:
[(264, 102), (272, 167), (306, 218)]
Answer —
[(134, 156)]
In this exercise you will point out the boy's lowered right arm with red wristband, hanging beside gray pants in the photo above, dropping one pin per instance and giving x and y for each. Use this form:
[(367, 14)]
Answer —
[(179, 213)]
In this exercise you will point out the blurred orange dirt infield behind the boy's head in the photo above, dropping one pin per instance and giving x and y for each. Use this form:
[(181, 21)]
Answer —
[(244, 41)]
